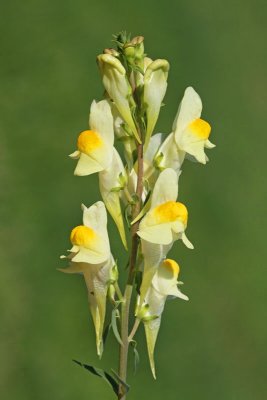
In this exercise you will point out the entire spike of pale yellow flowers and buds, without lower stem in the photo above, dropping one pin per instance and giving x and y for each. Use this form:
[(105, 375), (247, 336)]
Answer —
[(139, 187)]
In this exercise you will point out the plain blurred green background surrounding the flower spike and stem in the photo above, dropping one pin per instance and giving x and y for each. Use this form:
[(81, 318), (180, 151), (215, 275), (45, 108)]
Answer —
[(213, 347)]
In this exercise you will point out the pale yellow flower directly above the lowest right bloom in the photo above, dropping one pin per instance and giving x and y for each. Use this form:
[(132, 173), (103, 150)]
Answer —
[(164, 223)]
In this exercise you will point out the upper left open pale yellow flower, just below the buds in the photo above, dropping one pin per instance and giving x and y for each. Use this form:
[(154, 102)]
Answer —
[(96, 153)]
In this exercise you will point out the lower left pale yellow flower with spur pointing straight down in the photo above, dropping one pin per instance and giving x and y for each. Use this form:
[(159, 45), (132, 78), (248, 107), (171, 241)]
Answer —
[(90, 255)]
